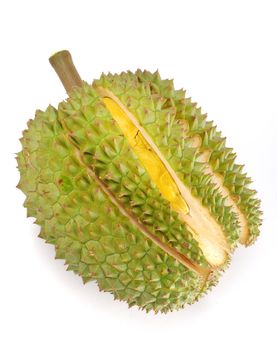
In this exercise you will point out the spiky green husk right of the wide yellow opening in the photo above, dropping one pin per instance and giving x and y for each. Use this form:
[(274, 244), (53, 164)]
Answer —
[(161, 110)]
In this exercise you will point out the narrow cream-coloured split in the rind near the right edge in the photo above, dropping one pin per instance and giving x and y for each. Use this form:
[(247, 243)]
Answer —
[(218, 180)]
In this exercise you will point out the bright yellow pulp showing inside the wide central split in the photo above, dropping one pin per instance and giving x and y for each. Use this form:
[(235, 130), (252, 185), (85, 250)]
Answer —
[(149, 159)]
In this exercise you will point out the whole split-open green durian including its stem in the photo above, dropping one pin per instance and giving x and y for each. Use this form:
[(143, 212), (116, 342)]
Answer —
[(135, 188)]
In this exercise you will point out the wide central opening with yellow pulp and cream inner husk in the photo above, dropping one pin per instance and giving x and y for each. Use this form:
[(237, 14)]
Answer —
[(202, 225)]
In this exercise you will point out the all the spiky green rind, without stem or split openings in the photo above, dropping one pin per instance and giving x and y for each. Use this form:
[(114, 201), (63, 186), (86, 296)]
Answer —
[(70, 152)]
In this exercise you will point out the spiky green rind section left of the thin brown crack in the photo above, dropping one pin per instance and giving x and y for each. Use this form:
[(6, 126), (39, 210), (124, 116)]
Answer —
[(72, 211)]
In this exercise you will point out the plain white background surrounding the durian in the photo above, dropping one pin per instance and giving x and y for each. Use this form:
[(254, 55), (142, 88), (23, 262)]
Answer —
[(224, 54)]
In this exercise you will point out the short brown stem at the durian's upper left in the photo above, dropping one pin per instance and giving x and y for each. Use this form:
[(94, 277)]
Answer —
[(62, 63)]
